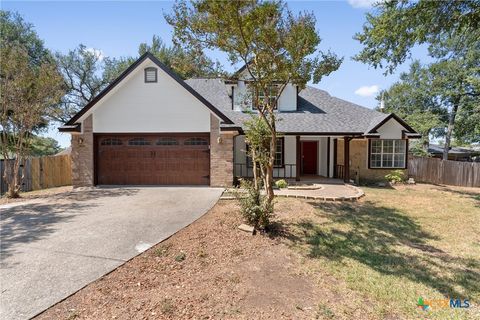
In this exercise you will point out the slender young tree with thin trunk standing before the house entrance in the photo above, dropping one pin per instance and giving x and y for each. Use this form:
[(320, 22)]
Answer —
[(276, 47)]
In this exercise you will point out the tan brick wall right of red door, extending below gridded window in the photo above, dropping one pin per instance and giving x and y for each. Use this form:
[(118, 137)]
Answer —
[(358, 161)]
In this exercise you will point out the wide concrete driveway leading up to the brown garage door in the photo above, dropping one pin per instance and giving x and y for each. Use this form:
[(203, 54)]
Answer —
[(52, 247)]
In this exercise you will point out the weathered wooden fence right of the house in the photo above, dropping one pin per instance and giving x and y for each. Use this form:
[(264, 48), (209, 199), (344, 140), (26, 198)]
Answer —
[(455, 173)]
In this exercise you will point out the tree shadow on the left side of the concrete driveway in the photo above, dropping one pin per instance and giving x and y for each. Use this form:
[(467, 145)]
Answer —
[(30, 222)]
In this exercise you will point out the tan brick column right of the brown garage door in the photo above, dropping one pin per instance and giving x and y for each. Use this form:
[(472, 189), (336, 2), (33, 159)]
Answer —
[(221, 155)]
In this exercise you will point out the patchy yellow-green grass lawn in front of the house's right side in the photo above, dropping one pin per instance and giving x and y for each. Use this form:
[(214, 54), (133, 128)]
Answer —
[(398, 245)]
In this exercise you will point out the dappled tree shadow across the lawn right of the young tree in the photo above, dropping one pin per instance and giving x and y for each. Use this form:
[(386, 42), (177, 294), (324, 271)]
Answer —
[(387, 241)]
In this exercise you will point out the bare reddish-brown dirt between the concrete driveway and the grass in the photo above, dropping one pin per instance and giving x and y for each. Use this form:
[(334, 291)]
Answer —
[(212, 270)]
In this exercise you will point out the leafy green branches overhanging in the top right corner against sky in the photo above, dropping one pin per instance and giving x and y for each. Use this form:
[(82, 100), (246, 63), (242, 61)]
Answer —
[(396, 26)]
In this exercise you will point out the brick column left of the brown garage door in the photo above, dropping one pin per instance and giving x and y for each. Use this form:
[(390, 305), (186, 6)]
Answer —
[(82, 155)]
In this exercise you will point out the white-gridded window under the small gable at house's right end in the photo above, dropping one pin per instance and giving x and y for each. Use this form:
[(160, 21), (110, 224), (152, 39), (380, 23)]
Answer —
[(387, 153)]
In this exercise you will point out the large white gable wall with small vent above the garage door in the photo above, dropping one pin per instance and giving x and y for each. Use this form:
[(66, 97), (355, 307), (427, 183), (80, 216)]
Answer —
[(136, 106)]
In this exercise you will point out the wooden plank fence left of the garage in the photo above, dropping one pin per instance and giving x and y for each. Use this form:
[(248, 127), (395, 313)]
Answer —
[(43, 172)]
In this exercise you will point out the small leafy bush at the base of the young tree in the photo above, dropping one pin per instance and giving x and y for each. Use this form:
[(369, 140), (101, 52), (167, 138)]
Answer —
[(254, 206)]
